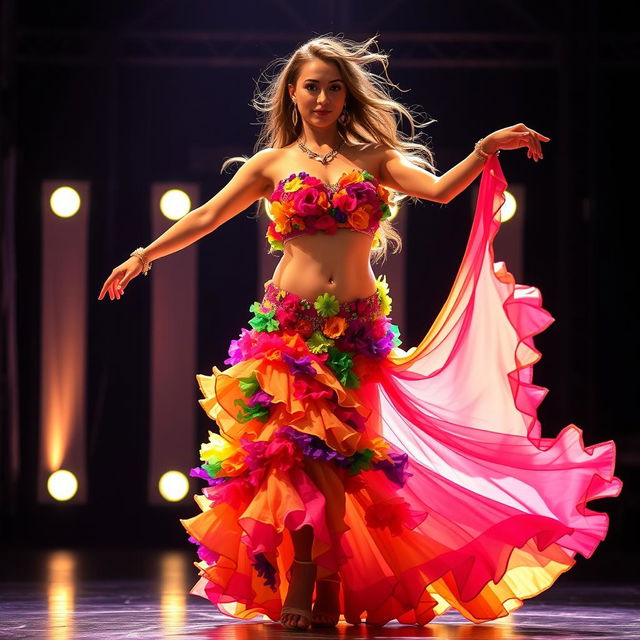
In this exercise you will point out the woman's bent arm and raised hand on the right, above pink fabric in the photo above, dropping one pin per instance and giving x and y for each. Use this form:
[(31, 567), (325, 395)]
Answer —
[(400, 174)]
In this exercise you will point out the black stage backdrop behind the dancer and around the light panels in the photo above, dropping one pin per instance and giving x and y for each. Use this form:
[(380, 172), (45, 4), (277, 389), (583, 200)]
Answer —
[(125, 94)]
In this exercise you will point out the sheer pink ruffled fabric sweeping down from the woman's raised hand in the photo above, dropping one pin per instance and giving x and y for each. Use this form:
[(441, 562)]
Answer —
[(464, 407)]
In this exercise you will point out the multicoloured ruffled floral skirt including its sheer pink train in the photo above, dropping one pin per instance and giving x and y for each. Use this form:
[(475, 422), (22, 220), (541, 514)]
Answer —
[(423, 473)]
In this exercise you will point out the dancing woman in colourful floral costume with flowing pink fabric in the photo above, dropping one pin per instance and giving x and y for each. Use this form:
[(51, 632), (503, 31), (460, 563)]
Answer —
[(389, 484)]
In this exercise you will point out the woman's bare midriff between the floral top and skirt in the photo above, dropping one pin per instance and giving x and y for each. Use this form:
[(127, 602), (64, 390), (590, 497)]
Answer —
[(320, 263)]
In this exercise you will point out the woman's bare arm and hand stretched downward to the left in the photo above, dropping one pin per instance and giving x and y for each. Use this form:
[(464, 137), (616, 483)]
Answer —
[(247, 185)]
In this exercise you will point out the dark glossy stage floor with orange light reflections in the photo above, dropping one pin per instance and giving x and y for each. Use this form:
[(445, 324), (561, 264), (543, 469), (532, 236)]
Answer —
[(60, 595)]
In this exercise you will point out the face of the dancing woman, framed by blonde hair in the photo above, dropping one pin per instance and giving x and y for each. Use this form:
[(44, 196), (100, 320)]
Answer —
[(319, 93)]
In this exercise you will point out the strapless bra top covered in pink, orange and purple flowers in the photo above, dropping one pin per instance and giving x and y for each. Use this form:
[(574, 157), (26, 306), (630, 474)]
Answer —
[(303, 204)]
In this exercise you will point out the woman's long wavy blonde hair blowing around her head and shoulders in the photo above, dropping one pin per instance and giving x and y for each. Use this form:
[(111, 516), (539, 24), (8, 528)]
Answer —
[(374, 116)]
